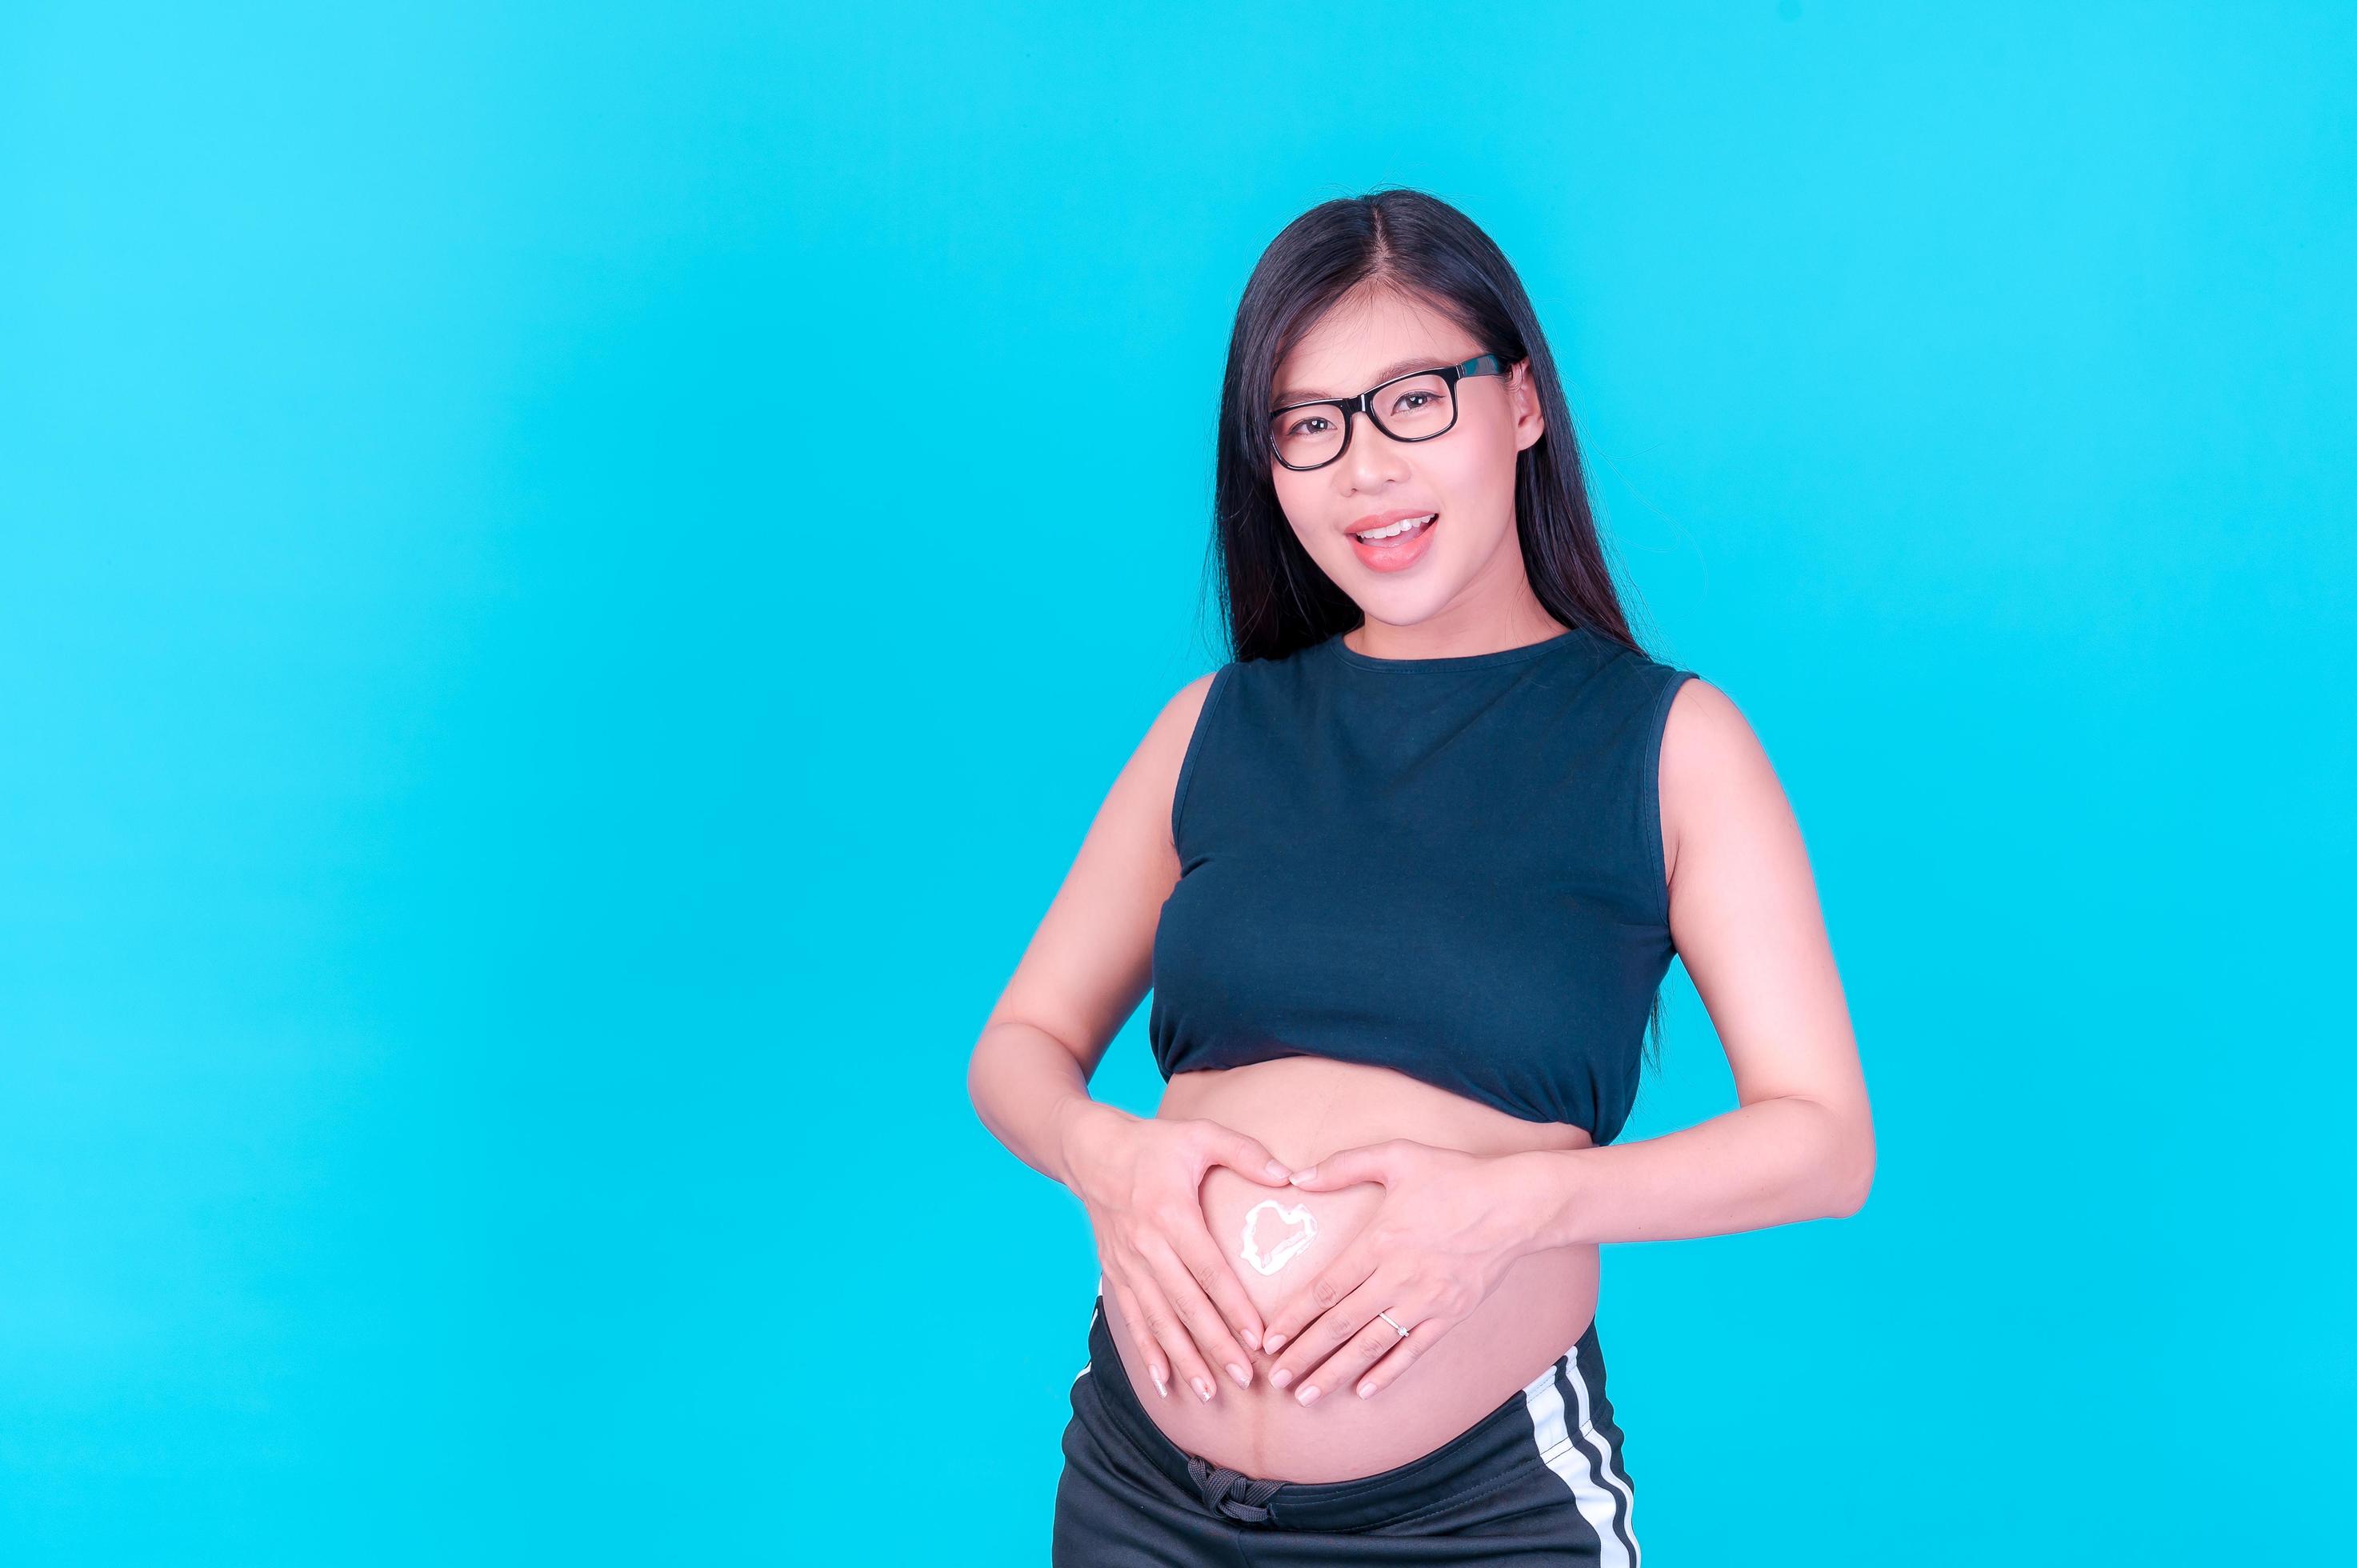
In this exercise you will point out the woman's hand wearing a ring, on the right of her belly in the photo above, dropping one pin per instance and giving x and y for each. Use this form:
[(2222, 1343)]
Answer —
[(1448, 1230)]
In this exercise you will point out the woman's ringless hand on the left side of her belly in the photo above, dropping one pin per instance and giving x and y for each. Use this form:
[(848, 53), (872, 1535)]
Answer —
[(1142, 1182)]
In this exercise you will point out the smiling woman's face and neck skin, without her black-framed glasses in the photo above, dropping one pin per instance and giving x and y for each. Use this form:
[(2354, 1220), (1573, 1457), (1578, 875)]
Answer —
[(1467, 560)]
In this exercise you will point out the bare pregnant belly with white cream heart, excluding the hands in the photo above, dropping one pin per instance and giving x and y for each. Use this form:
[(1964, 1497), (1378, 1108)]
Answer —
[(1305, 1109)]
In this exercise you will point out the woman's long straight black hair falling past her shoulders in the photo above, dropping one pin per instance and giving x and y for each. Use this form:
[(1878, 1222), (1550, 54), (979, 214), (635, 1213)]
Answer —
[(1274, 595)]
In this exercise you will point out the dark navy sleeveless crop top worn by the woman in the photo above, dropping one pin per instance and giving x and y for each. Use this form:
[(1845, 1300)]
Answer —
[(1444, 867)]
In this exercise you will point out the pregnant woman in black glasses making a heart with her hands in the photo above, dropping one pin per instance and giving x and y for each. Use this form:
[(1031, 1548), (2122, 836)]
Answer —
[(1404, 881)]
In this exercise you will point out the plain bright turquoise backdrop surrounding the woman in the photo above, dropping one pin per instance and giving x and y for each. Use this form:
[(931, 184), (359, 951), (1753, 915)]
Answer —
[(546, 690)]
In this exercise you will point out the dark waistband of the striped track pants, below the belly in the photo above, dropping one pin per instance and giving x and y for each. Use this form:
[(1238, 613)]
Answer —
[(1498, 1449)]
